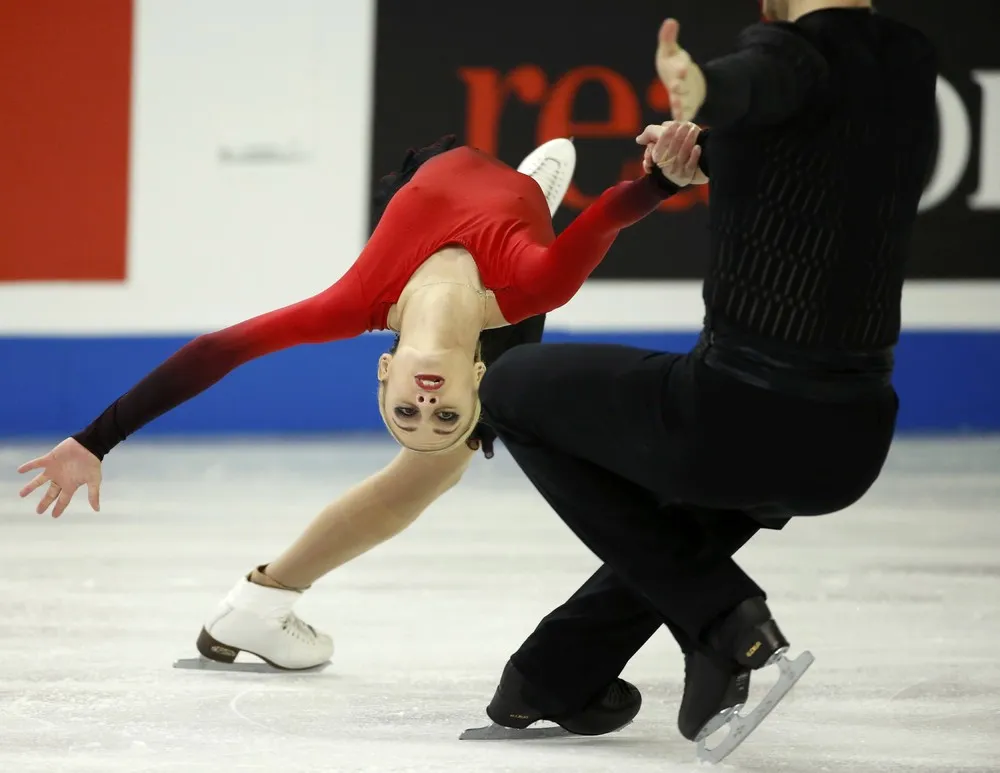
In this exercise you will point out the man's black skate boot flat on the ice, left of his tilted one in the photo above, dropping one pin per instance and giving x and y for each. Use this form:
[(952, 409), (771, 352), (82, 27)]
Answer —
[(518, 704)]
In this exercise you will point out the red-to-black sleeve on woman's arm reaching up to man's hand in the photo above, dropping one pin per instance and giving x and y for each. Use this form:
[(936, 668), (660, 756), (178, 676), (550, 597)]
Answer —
[(548, 277)]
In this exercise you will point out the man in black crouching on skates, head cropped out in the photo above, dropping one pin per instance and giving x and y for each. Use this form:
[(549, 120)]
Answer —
[(663, 464)]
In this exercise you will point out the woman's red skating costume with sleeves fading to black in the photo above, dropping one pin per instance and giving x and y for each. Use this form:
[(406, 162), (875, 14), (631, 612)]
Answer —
[(461, 197)]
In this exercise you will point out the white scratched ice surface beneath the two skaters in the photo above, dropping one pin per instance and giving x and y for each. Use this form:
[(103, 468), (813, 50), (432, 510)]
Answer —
[(898, 598)]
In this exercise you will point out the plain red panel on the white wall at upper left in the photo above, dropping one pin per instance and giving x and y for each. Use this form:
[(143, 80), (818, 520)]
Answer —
[(65, 105)]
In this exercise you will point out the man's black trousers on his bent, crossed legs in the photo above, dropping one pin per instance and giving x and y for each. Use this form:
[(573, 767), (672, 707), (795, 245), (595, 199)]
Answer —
[(664, 468)]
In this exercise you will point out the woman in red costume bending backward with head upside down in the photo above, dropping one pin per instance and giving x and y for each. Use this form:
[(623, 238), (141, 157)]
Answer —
[(464, 250)]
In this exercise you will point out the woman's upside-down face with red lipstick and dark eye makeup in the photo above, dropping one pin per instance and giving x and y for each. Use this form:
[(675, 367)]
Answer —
[(429, 397)]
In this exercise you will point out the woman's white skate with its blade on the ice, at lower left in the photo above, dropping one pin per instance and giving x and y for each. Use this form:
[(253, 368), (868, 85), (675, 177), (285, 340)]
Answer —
[(259, 621)]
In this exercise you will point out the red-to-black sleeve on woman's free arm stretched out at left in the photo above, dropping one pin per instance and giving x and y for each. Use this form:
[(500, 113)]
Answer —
[(339, 312)]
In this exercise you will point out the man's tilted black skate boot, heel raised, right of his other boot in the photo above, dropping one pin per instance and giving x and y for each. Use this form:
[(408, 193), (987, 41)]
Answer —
[(717, 681)]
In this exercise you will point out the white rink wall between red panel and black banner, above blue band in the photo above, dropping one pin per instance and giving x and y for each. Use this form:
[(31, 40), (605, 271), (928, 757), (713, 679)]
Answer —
[(249, 180)]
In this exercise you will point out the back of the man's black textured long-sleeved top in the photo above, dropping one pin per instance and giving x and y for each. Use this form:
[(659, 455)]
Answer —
[(812, 213)]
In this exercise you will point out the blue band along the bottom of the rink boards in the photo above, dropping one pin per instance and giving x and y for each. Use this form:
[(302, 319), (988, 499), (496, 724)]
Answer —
[(948, 382)]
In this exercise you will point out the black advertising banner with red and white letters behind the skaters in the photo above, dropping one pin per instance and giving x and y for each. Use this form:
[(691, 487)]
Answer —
[(506, 77)]
